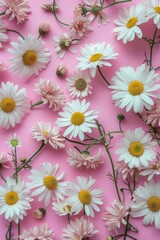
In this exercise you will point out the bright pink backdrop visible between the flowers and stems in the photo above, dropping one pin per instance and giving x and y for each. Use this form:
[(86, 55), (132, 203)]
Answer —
[(131, 54)]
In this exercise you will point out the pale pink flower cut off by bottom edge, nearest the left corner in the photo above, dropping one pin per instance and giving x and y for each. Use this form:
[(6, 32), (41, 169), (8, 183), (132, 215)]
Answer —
[(42, 232)]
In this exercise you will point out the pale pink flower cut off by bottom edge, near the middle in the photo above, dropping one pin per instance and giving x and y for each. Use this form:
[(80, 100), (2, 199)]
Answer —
[(80, 228)]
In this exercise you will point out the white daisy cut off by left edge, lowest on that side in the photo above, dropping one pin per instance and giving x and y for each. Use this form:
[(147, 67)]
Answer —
[(14, 200)]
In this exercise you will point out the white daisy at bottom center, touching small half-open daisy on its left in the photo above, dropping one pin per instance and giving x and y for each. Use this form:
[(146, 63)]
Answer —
[(81, 196)]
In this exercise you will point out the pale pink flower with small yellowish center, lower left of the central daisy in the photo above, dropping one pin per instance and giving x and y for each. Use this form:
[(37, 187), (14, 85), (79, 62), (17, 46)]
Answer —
[(45, 132)]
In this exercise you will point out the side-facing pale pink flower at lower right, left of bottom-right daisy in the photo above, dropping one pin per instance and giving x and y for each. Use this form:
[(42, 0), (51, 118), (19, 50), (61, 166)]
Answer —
[(115, 215)]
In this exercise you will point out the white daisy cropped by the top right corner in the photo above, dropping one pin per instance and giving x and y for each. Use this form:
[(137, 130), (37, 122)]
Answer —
[(153, 11)]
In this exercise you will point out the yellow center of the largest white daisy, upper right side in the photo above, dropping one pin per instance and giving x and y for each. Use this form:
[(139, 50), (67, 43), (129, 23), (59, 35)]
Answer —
[(135, 88)]
